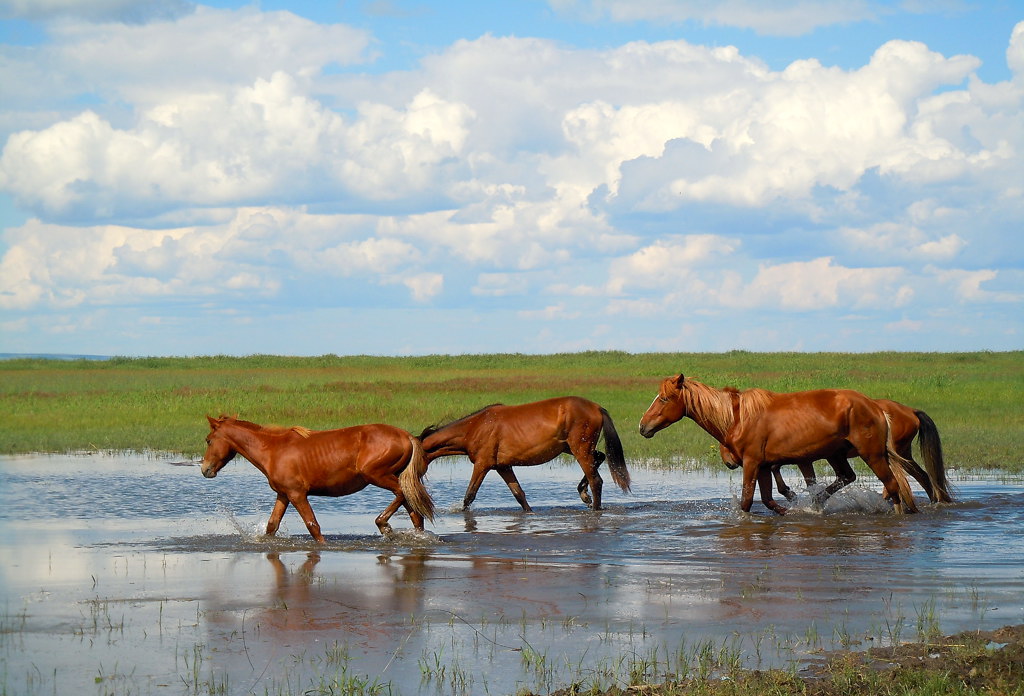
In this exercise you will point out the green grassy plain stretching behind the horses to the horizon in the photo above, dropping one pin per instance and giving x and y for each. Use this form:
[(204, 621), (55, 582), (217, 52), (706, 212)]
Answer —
[(159, 404)]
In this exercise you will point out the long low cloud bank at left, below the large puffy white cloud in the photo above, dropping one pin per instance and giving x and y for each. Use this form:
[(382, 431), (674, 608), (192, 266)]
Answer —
[(261, 252)]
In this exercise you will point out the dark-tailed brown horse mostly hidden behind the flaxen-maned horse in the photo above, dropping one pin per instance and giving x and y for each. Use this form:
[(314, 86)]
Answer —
[(907, 424)]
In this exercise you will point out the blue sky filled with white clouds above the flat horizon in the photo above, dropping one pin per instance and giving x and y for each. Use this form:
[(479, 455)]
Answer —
[(412, 178)]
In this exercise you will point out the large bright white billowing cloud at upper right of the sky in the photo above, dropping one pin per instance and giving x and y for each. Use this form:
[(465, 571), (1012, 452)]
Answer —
[(810, 127)]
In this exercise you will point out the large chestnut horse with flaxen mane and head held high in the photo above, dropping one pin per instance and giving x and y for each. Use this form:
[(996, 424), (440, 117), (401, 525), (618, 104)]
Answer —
[(758, 430)]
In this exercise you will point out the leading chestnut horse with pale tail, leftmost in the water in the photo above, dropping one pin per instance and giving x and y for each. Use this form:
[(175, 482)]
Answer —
[(300, 463)]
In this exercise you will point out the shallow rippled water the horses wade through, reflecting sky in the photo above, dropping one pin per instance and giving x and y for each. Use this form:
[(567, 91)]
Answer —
[(134, 575)]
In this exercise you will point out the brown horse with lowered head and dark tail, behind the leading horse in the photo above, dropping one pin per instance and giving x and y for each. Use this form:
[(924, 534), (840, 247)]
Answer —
[(499, 438)]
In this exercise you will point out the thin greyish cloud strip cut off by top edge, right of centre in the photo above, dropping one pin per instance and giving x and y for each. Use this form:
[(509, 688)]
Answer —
[(783, 18)]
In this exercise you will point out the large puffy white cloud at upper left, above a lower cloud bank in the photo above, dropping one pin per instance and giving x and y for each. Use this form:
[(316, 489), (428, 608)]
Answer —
[(268, 142)]
